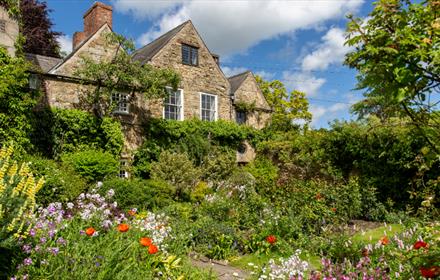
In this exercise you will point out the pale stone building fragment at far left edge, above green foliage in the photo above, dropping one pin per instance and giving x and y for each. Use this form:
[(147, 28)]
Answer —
[(8, 31)]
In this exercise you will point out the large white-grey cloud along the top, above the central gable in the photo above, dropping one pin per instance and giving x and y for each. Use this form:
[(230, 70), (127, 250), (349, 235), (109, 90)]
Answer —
[(229, 26)]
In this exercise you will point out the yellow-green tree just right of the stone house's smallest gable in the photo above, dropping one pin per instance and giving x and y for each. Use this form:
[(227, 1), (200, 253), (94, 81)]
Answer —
[(287, 108)]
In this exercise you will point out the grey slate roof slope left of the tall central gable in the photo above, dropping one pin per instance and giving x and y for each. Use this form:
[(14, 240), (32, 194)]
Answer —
[(147, 52)]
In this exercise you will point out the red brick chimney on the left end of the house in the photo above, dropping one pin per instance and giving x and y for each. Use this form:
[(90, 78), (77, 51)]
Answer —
[(94, 18)]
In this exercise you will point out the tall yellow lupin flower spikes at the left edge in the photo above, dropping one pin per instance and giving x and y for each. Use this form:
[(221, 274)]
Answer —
[(17, 195)]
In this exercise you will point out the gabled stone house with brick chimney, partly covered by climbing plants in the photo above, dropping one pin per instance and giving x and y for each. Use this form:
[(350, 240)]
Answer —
[(204, 92)]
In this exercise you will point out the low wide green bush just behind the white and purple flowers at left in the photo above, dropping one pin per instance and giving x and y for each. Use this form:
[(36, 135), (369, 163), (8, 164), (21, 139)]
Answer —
[(140, 194)]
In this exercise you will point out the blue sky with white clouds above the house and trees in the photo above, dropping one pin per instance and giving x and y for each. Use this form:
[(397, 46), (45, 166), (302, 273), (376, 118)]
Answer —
[(299, 42)]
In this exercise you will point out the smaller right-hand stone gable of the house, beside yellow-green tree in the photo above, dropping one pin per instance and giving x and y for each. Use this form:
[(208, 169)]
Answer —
[(250, 93)]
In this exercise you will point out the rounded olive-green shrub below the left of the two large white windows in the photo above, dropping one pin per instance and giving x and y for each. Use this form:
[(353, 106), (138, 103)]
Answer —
[(178, 170)]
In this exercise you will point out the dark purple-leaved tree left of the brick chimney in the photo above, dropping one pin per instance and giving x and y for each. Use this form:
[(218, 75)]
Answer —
[(36, 27)]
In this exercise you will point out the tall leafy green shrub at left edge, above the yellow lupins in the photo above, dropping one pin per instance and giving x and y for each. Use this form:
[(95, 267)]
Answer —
[(16, 100)]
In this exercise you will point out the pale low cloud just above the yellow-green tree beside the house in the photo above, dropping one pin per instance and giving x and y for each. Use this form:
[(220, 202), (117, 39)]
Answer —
[(304, 82)]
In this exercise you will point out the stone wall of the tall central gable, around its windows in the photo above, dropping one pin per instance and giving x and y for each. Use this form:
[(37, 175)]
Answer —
[(206, 77)]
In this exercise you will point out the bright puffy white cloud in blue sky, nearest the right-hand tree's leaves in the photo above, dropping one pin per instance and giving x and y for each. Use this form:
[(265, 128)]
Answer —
[(331, 51)]
